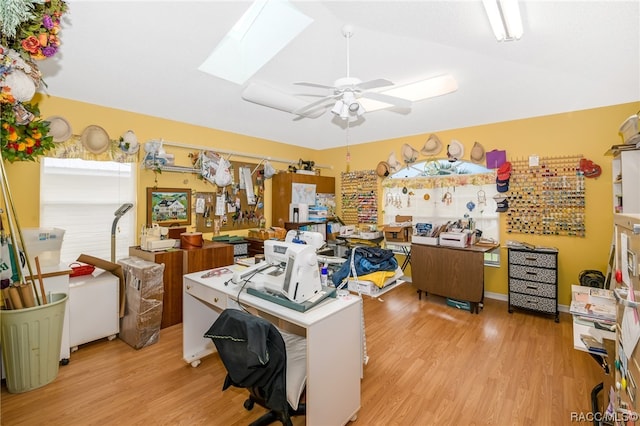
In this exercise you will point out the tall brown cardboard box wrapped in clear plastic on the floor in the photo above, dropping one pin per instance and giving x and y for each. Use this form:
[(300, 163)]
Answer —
[(140, 325)]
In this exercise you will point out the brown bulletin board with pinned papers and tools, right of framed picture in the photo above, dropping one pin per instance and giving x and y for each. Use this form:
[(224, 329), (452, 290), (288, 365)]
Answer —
[(237, 206)]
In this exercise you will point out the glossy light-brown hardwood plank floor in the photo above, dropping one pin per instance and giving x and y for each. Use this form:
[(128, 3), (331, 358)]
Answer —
[(429, 364)]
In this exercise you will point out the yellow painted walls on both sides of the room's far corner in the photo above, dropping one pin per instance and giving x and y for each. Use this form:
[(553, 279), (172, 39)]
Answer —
[(588, 132)]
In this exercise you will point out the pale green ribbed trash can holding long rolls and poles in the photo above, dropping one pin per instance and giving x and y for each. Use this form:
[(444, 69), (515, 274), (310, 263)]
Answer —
[(31, 340)]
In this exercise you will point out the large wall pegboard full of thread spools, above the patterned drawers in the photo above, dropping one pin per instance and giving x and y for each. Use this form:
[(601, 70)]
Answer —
[(546, 197)]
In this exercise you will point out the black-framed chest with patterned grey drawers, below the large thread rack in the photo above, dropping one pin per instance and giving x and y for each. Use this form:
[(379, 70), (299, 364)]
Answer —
[(533, 280)]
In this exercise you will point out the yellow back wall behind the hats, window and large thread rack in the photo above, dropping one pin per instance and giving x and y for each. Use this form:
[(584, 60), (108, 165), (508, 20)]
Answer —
[(589, 132)]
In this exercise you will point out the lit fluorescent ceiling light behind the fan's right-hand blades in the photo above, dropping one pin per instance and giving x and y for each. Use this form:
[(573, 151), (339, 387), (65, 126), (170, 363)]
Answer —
[(418, 91)]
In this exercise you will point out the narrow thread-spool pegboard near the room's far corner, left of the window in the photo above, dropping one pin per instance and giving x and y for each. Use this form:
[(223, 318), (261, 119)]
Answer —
[(359, 197)]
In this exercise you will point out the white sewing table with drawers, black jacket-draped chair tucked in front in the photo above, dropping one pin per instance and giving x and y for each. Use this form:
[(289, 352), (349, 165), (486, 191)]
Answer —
[(332, 329)]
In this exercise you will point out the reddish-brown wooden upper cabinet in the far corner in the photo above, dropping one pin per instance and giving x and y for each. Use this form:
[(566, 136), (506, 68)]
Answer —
[(282, 189)]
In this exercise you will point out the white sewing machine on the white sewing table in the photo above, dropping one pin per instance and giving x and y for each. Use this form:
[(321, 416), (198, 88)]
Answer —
[(290, 270)]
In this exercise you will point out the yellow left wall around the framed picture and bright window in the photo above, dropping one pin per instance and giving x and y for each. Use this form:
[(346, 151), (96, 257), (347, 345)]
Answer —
[(24, 177)]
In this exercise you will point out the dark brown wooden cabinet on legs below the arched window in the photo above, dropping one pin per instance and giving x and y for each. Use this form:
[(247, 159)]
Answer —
[(456, 273)]
